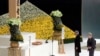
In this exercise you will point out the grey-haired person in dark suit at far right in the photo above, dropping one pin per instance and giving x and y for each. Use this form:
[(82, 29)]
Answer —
[(91, 44)]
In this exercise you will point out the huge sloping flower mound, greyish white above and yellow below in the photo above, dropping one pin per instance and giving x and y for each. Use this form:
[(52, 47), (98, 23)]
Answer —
[(34, 20)]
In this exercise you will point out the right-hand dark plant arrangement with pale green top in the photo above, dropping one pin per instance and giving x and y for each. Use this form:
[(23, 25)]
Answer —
[(56, 16)]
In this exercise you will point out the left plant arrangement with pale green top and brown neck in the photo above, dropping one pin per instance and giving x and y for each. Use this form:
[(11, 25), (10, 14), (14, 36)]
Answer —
[(16, 37)]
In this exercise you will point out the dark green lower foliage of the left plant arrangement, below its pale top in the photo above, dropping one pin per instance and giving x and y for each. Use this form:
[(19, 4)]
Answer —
[(15, 33)]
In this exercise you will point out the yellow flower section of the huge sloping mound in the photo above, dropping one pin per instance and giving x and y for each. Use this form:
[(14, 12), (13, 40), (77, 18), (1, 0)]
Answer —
[(41, 25)]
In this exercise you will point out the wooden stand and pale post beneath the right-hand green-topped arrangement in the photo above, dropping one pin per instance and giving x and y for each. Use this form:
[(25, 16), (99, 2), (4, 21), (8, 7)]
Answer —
[(59, 36)]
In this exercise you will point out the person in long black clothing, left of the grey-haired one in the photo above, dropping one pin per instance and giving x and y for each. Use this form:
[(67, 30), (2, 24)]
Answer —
[(77, 43)]
